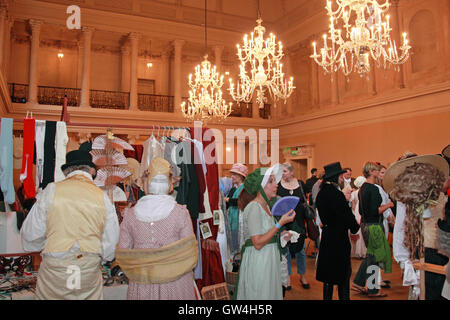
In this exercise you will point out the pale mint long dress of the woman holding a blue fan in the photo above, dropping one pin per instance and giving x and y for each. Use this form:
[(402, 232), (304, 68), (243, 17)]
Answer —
[(260, 270)]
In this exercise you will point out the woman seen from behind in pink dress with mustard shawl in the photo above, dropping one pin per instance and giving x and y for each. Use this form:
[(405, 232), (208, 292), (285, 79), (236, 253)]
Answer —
[(157, 248)]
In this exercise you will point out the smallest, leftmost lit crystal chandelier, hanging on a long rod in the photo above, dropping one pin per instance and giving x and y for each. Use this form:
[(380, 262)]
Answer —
[(205, 100)]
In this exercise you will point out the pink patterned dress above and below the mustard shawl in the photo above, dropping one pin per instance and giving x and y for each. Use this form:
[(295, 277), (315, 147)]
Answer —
[(135, 234)]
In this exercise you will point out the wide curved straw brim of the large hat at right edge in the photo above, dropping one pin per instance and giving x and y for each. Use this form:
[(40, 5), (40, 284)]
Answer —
[(399, 167)]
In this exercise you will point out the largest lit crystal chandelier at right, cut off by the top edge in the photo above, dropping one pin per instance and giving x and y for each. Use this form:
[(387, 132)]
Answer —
[(366, 35)]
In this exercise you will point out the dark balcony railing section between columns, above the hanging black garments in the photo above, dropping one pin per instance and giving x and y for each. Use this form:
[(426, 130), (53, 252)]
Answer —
[(55, 96)]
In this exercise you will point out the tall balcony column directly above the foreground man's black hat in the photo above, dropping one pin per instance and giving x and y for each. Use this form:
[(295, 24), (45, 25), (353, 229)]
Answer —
[(86, 73)]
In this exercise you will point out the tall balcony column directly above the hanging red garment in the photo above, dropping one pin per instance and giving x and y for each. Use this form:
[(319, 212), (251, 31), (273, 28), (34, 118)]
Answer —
[(34, 56)]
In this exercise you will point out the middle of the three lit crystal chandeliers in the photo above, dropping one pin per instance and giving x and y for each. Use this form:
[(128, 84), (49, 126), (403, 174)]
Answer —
[(264, 70)]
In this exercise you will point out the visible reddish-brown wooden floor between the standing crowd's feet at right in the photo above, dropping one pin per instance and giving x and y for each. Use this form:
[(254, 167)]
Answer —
[(396, 292)]
